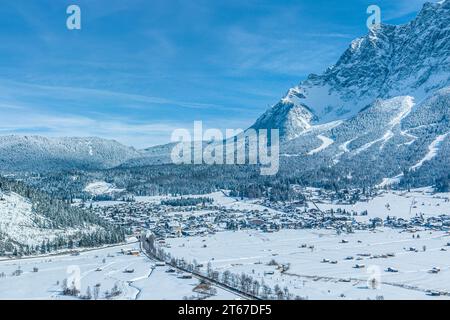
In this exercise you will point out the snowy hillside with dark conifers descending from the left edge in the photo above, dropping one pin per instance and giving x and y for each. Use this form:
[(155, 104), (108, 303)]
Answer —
[(32, 222)]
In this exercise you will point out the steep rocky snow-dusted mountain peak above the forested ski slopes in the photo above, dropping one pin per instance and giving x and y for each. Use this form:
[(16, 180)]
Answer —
[(411, 59)]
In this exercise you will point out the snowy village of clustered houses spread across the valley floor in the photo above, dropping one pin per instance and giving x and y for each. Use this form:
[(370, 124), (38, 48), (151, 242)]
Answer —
[(185, 217)]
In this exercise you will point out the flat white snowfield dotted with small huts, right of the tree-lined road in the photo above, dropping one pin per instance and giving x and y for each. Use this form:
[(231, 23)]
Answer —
[(336, 278)]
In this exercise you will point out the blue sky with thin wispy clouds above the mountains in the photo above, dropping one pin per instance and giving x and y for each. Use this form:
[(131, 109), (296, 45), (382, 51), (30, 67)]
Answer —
[(139, 69)]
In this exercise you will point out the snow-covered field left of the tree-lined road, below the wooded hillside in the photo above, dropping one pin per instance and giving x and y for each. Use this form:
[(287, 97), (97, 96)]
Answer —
[(105, 267)]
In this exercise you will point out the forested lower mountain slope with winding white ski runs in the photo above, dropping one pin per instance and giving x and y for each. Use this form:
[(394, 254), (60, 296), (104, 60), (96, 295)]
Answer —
[(390, 141)]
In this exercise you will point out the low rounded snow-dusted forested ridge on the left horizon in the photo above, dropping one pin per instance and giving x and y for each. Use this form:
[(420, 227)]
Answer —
[(40, 153)]
